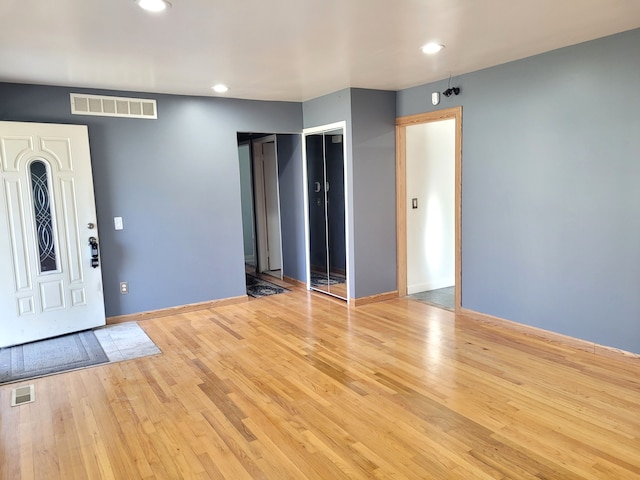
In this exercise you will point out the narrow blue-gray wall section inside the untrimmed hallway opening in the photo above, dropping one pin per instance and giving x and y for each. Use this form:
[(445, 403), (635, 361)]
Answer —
[(292, 215)]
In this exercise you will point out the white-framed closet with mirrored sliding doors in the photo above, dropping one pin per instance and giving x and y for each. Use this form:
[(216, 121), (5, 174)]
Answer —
[(325, 161)]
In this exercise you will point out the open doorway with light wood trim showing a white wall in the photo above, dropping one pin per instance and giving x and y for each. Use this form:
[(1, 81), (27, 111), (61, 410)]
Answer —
[(428, 207)]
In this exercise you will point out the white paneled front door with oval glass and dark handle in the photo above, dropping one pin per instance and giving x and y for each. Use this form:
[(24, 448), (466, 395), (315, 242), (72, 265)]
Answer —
[(51, 281)]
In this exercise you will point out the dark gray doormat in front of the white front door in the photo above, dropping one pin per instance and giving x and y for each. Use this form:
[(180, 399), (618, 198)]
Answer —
[(54, 355)]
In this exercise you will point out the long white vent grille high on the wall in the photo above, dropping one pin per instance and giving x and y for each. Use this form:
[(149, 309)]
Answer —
[(113, 106)]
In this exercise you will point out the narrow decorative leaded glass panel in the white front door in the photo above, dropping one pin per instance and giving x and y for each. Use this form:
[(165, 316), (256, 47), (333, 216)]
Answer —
[(44, 223)]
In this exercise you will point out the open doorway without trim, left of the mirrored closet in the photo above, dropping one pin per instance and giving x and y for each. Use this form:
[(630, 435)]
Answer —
[(272, 194)]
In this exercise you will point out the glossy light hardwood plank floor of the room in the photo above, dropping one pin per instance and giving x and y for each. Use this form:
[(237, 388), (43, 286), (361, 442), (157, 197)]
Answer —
[(298, 386)]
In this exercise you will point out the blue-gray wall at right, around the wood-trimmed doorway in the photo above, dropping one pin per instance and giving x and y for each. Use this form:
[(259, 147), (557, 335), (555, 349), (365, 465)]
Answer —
[(550, 192)]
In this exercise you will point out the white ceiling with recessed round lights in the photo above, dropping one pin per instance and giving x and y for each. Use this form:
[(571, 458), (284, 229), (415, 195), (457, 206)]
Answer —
[(285, 49)]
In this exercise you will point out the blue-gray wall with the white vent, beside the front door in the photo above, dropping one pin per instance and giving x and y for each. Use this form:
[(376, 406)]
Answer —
[(175, 181)]
